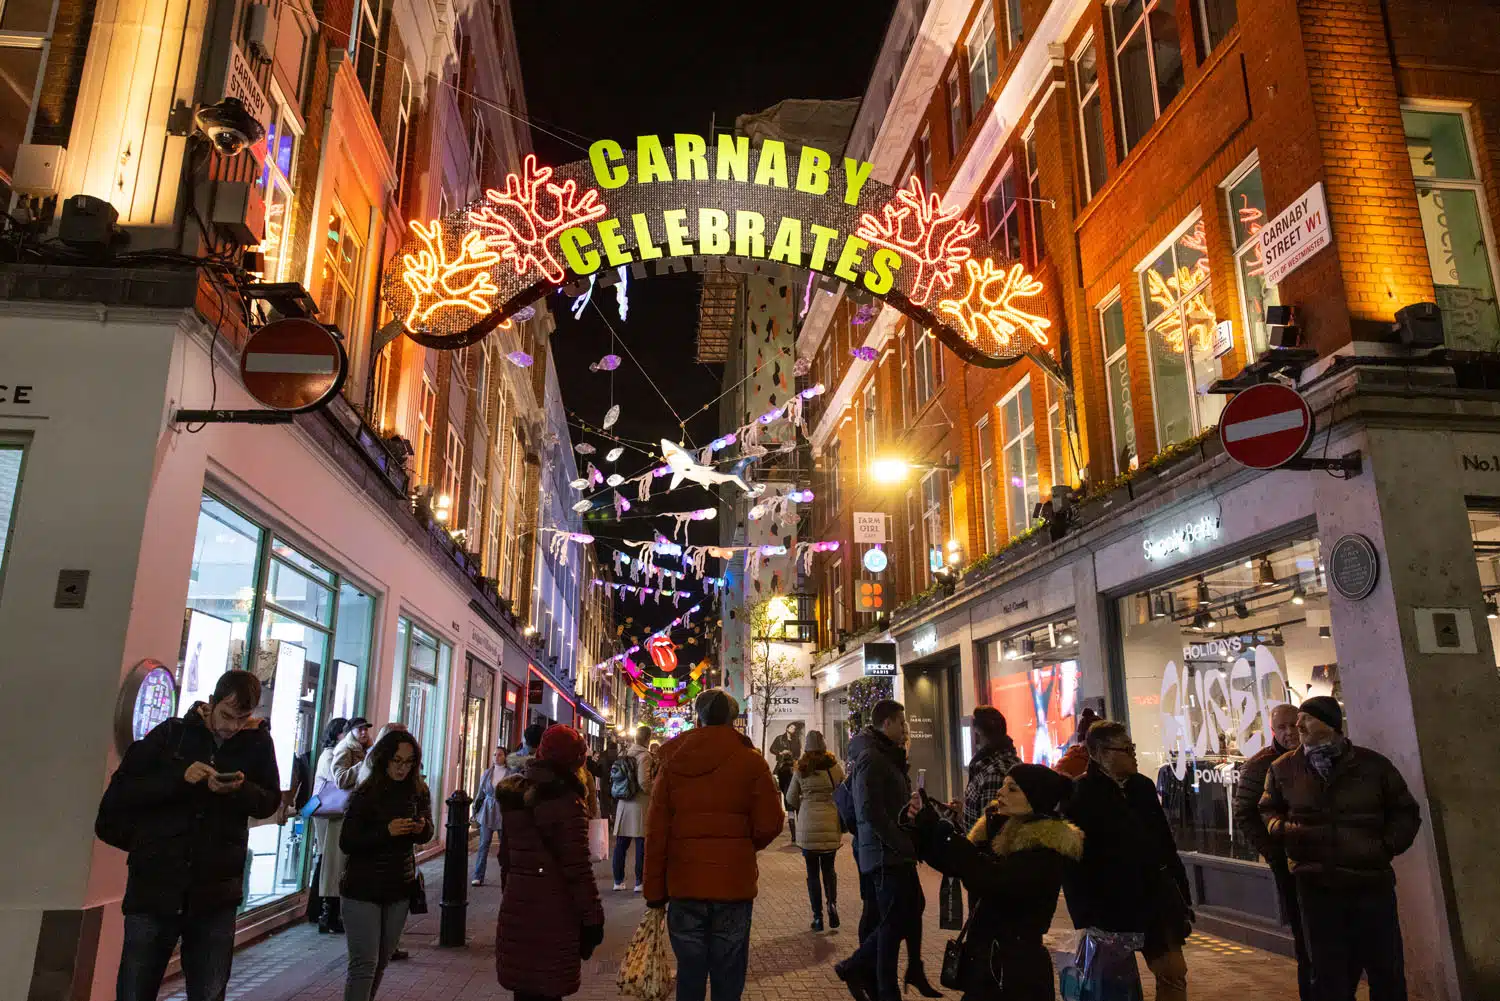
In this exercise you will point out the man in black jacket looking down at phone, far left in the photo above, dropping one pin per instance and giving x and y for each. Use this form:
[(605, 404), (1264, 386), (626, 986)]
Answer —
[(181, 804)]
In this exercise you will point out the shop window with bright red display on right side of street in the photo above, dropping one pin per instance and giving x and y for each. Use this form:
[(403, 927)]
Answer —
[(1033, 678)]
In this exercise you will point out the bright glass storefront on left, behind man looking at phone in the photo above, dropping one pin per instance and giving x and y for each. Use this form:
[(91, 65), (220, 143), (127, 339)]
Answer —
[(257, 603)]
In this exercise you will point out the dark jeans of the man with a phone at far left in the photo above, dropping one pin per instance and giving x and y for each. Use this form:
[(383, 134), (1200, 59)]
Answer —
[(149, 940)]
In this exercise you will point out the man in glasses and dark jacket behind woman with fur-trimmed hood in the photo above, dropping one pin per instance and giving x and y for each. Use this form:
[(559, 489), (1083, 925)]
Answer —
[(1130, 877)]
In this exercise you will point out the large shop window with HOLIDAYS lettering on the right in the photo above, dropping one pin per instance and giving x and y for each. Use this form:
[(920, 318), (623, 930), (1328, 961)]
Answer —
[(1207, 660)]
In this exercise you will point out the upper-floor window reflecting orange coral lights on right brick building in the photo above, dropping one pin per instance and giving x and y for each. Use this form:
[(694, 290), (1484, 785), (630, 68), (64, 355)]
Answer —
[(1180, 335)]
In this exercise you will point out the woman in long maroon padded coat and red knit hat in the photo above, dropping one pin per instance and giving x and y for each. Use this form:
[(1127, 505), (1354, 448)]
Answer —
[(550, 913)]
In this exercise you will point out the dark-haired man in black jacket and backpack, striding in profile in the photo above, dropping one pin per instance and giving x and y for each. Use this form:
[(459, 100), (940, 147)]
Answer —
[(887, 856)]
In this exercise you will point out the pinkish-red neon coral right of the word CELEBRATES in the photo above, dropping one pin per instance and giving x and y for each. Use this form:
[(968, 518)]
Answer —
[(916, 226)]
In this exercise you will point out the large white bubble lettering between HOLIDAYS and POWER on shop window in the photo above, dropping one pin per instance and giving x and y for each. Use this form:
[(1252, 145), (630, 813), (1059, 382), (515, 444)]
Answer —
[(1213, 711)]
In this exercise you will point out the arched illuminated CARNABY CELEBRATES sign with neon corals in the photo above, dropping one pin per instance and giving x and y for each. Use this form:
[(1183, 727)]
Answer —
[(673, 202)]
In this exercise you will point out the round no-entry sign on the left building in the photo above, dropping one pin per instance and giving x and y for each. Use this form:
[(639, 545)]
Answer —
[(293, 365)]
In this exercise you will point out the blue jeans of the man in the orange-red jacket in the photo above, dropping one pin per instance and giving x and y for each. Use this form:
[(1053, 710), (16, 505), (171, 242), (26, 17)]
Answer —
[(712, 942)]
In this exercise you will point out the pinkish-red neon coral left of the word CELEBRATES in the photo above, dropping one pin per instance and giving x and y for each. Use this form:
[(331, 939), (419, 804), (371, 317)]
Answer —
[(524, 221)]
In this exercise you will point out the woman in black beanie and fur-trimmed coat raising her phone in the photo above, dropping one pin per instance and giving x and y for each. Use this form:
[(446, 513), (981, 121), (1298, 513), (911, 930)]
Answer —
[(1013, 864)]
